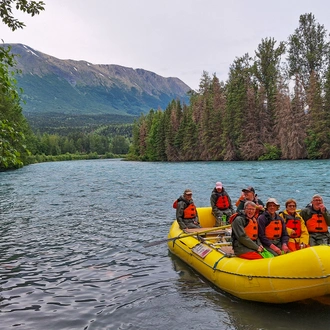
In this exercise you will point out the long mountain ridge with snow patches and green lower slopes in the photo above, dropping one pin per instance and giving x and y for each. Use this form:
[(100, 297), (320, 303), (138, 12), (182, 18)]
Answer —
[(79, 88)]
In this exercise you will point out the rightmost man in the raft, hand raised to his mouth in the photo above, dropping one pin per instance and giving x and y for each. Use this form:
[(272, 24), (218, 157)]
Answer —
[(317, 220)]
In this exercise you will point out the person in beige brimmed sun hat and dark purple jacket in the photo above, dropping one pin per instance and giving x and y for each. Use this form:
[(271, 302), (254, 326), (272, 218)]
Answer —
[(272, 230)]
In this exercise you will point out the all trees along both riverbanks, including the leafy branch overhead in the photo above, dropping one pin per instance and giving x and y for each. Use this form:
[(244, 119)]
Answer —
[(274, 105)]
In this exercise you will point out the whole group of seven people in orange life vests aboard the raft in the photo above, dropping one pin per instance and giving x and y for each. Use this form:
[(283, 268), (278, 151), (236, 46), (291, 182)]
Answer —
[(257, 226)]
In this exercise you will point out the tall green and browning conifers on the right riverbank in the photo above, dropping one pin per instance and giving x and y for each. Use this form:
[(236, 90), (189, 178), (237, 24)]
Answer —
[(274, 105)]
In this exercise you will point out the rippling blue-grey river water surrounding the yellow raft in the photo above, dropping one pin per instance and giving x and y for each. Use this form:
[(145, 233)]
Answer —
[(72, 252)]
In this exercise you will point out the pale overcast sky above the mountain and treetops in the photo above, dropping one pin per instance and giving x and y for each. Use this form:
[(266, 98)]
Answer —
[(172, 38)]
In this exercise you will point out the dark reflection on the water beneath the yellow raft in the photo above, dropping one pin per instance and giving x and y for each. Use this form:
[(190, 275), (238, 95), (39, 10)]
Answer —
[(252, 315)]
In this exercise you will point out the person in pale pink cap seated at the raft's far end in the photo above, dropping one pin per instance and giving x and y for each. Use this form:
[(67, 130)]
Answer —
[(222, 207)]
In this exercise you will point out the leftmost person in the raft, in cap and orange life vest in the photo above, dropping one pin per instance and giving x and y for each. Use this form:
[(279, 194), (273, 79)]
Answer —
[(186, 213)]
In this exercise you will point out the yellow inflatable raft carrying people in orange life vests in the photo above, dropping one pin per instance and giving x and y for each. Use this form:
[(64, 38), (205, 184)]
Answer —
[(287, 278)]
